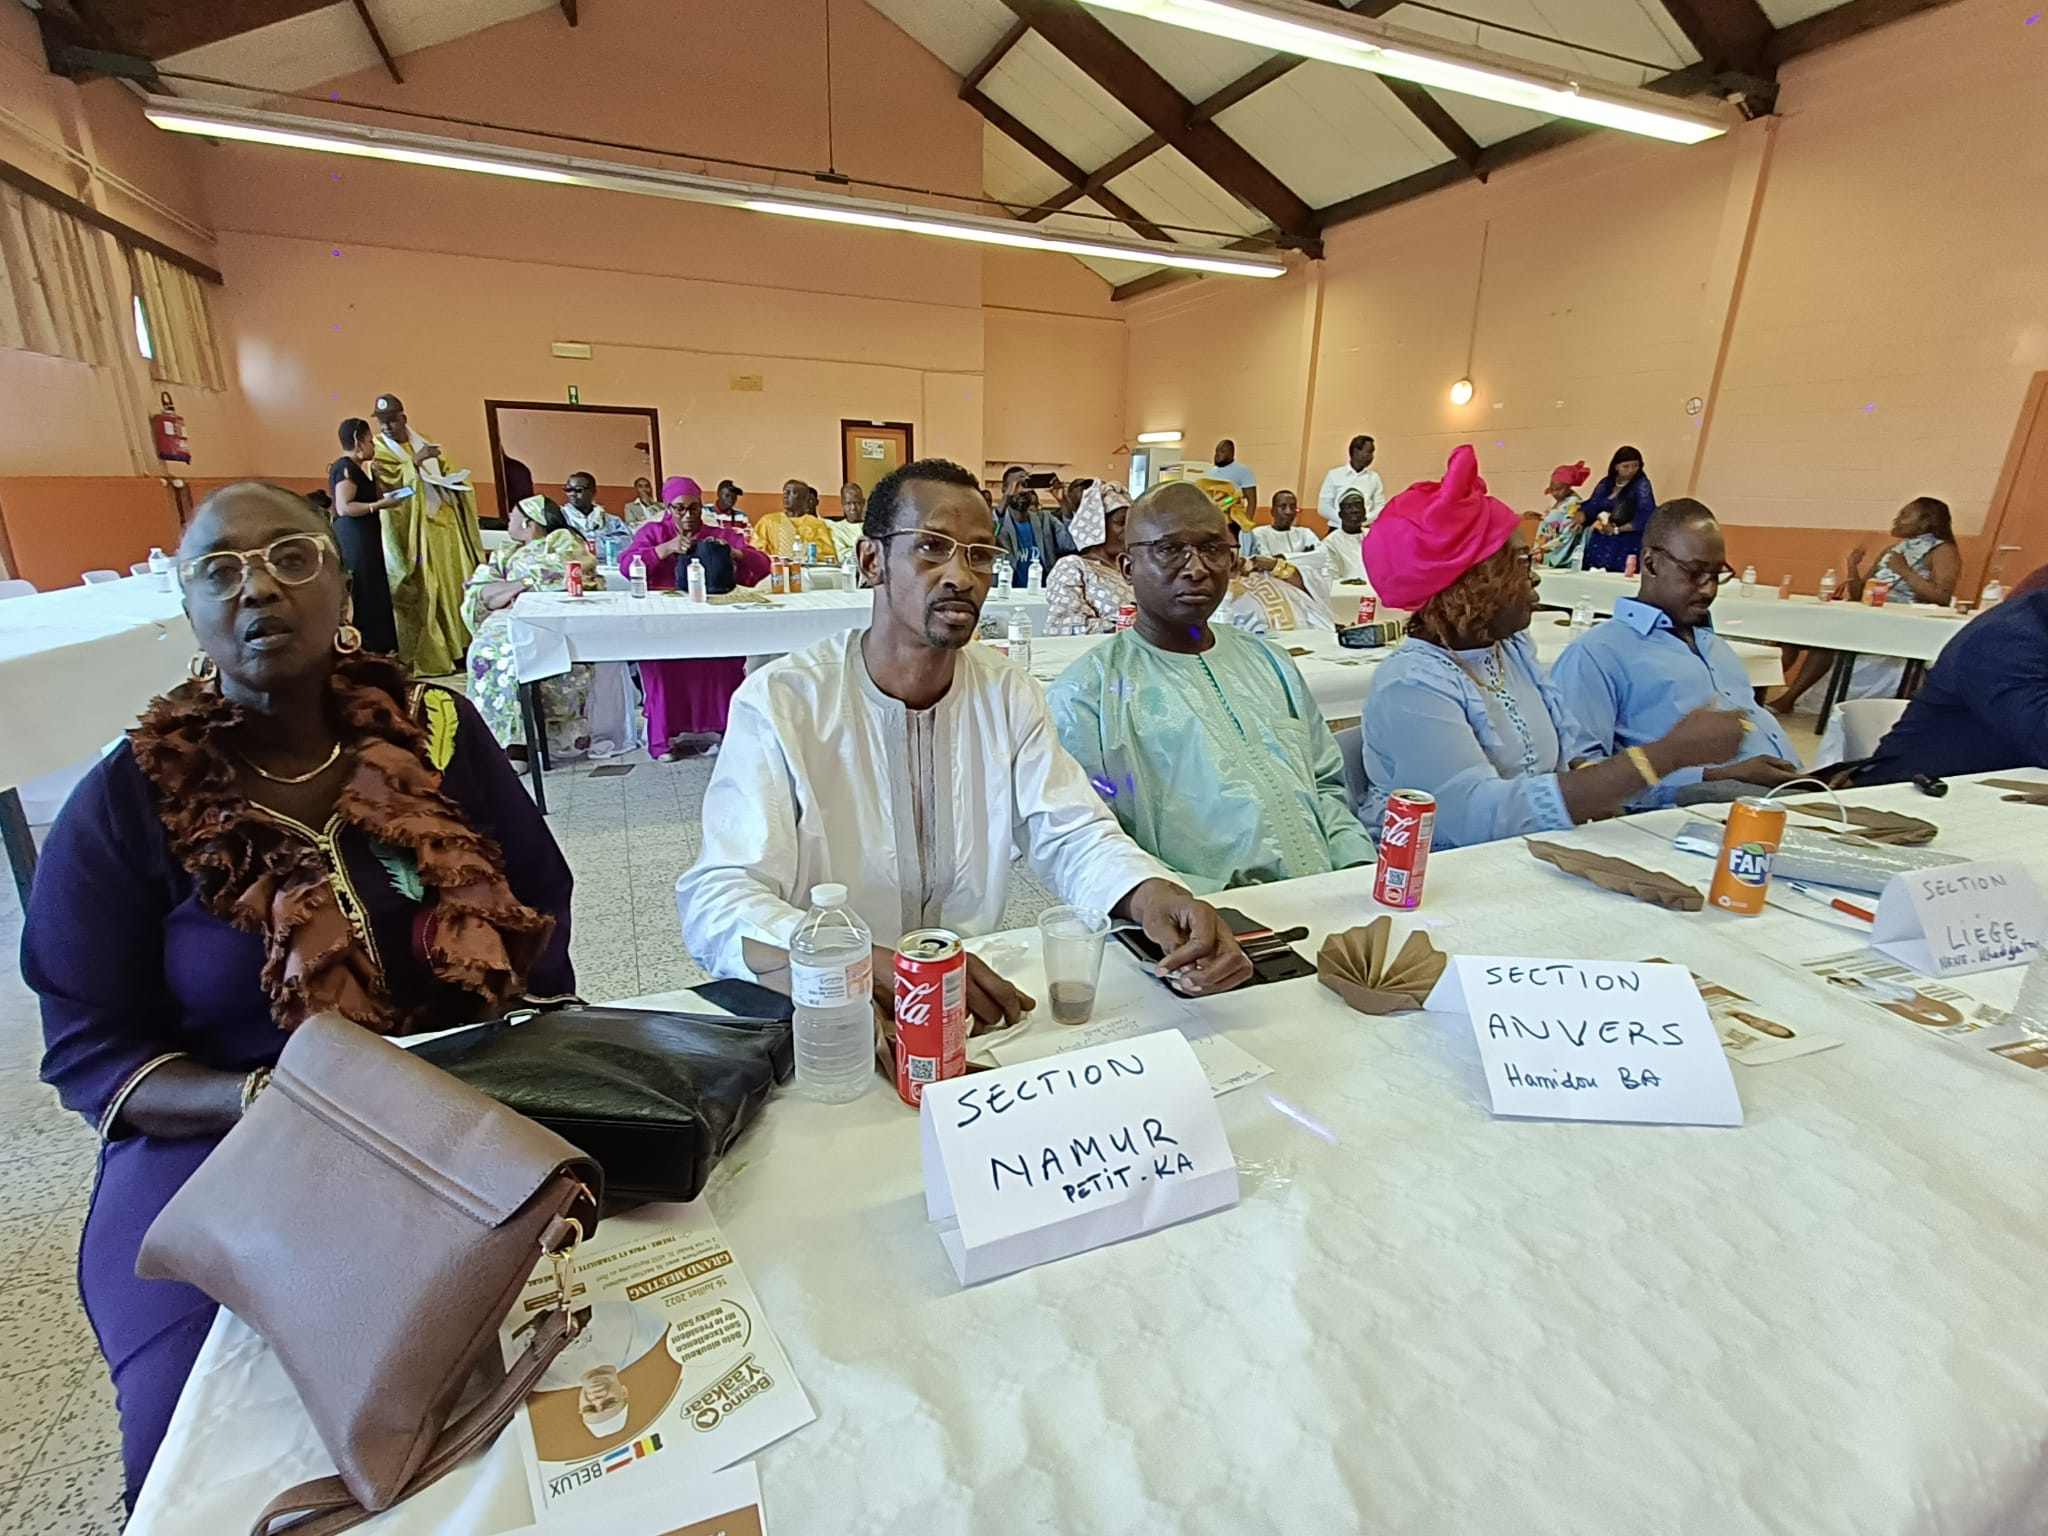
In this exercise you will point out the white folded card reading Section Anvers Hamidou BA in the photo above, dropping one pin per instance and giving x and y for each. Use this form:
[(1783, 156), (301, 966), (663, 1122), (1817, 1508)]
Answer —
[(1592, 1039)]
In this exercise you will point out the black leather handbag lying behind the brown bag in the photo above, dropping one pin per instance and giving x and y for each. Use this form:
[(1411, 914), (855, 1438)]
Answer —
[(654, 1099)]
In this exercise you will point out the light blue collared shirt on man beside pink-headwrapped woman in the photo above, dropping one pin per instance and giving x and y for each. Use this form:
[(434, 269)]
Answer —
[(1633, 679)]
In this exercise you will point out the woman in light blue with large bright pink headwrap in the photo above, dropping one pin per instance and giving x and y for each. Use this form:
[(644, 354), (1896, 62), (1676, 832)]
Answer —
[(1463, 710)]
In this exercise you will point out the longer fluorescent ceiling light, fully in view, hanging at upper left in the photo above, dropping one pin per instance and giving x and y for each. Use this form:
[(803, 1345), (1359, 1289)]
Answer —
[(335, 136)]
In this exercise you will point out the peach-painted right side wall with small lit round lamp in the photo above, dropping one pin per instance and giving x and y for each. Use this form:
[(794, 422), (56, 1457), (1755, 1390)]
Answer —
[(1897, 265)]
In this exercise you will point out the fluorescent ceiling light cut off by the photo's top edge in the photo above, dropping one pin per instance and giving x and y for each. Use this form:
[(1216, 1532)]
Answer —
[(1320, 32)]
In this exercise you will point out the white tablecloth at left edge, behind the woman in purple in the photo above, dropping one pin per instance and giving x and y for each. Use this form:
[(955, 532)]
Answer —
[(79, 667)]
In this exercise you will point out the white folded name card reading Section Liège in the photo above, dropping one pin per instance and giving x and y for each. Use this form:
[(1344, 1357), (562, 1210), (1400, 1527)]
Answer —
[(1947, 923)]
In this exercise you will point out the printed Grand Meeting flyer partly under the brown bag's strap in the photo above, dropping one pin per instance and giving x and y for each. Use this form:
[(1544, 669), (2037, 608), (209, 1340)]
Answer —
[(673, 1375)]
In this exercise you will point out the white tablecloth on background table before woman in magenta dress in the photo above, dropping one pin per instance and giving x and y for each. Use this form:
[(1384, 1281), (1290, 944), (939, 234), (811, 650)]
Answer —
[(552, 632)]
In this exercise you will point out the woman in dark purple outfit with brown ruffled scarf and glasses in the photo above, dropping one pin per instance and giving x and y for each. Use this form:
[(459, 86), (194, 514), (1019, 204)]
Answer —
[(296, 830)]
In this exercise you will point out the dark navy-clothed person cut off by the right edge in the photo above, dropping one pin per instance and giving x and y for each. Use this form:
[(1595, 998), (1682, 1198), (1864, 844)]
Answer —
[(1986, 701)]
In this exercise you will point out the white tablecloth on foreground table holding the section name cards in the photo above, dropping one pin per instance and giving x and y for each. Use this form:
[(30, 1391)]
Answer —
[(1420, 1318)]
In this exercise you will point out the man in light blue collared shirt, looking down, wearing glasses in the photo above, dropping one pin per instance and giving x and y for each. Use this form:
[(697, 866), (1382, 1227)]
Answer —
[(1658, 658)]
